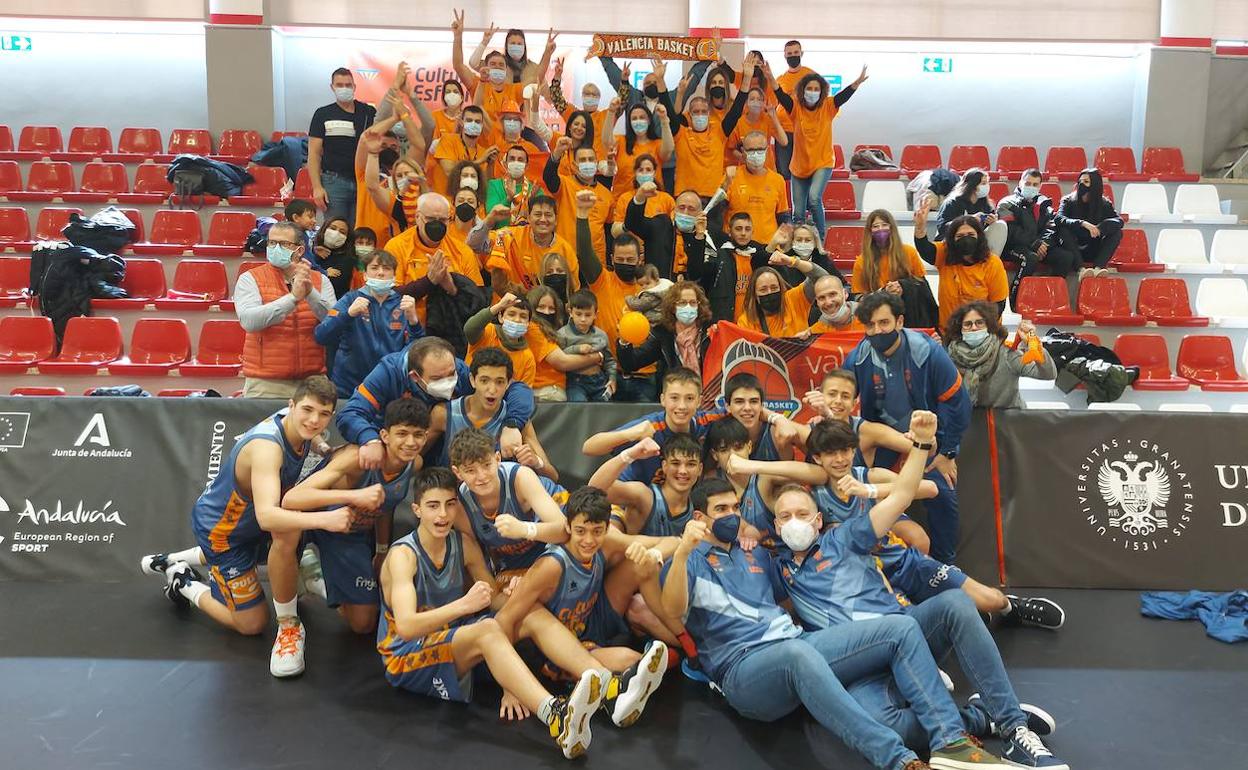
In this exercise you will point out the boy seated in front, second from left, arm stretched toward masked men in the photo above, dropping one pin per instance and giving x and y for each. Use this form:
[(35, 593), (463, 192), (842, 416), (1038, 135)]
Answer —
[(583, 585)]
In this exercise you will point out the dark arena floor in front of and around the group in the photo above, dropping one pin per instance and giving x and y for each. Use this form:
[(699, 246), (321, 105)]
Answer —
[(112, 676)]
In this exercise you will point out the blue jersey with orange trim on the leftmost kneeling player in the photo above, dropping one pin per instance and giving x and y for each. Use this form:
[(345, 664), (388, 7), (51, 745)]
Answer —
[(224, 516)]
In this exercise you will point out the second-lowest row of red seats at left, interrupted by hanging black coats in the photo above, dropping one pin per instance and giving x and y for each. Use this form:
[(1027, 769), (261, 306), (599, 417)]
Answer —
[(199, 285)]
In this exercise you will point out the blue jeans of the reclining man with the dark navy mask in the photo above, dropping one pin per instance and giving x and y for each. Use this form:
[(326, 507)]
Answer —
[(774, 681)]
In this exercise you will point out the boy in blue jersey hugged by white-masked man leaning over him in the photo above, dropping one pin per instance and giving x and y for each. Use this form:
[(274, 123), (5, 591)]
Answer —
[(492, 371)]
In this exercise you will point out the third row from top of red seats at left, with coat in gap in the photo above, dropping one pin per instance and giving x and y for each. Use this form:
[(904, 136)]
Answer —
[(174, 231)]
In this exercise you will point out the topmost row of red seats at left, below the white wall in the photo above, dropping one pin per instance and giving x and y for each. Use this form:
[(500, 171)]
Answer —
[(92, 143)]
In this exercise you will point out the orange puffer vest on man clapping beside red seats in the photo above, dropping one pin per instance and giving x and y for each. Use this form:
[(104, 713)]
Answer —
[(286, 350)]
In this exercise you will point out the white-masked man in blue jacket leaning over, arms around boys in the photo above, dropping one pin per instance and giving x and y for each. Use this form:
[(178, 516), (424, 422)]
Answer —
[(430, 371)]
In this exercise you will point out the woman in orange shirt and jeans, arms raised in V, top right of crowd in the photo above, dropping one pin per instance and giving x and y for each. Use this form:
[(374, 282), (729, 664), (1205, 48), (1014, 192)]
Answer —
[(813, 160)]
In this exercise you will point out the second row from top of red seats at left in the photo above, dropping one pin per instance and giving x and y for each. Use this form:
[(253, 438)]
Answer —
[(109, 182)]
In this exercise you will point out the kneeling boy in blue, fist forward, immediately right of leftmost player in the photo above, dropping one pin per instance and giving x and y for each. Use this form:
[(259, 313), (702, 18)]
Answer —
[(350, 561)]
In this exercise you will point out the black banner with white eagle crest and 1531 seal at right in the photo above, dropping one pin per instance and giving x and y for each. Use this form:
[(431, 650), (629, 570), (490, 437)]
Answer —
[(1121, 500)]
